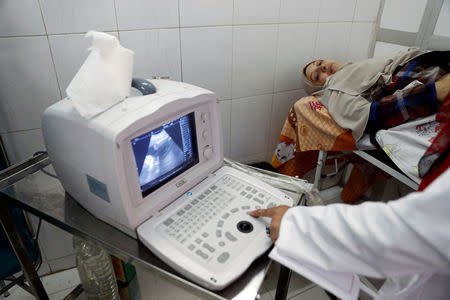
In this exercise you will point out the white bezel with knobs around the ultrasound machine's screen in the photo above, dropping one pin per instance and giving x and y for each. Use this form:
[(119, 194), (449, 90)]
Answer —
[(145, 207)]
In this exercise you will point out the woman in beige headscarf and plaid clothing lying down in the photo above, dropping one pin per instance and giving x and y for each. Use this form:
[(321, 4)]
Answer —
[(381, 92)]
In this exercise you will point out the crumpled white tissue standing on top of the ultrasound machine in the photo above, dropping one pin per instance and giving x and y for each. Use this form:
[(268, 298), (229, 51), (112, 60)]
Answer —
[(104, 78)]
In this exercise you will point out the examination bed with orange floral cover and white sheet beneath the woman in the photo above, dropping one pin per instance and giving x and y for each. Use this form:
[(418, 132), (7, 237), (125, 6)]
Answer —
[(310, 138)]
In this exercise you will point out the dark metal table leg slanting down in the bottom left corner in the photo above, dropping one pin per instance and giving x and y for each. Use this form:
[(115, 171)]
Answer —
[(21, 252)]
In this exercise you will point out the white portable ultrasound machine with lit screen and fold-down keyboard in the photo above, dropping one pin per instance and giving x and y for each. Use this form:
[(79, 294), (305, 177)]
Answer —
[(152, 166)]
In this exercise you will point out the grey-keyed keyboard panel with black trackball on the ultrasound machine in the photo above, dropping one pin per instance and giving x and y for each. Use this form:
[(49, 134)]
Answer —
[(212, 226)]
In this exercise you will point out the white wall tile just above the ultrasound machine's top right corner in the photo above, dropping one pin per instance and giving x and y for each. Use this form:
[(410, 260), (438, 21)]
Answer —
[(206, 56)]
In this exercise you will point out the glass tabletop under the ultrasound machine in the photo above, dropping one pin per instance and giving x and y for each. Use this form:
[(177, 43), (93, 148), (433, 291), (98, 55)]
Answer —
[(44, 196)]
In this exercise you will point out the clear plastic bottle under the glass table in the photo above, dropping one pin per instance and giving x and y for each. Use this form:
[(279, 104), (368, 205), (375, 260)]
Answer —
[(96, 270)]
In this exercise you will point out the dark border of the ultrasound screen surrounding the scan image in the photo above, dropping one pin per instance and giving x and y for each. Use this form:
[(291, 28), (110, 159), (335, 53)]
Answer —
[(156, 183)]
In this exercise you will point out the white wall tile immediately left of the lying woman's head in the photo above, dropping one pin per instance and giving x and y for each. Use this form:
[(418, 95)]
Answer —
[(295, 50)]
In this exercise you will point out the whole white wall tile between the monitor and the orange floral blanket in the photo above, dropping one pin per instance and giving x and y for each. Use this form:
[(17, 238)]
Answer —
[(250, 122)]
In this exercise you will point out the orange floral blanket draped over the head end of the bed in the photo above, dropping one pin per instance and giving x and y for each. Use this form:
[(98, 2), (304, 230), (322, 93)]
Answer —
[(309, 128)]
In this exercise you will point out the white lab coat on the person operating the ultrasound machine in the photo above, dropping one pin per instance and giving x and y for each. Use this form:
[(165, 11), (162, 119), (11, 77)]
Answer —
[(406, 241)]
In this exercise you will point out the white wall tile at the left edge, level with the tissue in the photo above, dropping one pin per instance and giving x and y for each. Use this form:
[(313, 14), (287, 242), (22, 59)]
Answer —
[(28, 82)]
